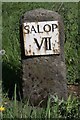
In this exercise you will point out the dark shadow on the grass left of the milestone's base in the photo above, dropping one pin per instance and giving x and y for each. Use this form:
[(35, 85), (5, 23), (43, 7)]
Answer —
[(11, 76)]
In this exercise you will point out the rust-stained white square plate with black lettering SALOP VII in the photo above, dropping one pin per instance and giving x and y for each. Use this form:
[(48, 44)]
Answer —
[(41, 38)]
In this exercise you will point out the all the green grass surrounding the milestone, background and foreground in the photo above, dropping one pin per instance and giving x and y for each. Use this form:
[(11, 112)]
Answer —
[(11, 13)]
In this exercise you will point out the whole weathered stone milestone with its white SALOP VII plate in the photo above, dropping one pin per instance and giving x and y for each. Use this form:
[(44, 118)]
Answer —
[(42, 52)]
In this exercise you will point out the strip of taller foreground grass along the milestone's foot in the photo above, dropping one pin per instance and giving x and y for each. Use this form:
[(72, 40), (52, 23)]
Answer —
[(55, 109)]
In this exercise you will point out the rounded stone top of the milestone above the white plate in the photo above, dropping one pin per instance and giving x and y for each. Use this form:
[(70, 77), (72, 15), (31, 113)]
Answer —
[(40, 15)]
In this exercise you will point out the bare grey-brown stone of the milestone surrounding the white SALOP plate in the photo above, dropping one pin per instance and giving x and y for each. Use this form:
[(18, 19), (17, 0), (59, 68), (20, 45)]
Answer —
[(43, 75)]
